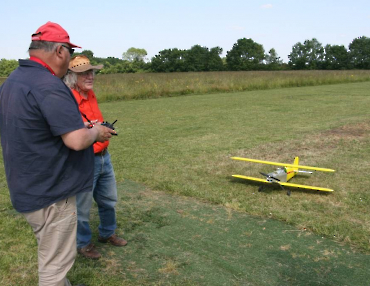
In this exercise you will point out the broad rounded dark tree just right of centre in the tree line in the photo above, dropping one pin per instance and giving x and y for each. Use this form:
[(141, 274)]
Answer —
[(245, 55)]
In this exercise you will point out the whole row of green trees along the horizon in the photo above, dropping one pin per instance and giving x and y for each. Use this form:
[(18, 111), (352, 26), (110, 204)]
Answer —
[(245, 55)]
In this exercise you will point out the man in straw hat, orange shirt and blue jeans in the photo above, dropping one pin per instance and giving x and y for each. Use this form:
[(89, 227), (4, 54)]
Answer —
[(80, 78)]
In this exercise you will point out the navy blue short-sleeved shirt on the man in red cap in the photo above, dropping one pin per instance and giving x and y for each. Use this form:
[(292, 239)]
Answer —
[(36, 108)]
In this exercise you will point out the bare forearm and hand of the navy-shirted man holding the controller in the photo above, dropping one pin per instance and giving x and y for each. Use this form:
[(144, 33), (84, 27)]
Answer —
[(83, 138)]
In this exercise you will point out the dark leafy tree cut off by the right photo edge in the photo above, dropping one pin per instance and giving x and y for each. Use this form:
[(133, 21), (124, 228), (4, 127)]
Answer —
[(360, 53)]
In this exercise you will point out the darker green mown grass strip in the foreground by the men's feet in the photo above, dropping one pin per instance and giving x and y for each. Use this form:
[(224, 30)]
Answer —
[(175, 240)]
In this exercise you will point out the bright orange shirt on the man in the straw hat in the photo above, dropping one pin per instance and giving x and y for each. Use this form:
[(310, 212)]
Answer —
[(90, 108)]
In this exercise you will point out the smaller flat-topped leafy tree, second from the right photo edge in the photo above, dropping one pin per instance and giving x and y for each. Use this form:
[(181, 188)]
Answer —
[(335, 57)]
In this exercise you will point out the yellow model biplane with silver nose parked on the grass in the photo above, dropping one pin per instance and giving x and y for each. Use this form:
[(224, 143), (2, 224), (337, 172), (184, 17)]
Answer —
[(281, 176)]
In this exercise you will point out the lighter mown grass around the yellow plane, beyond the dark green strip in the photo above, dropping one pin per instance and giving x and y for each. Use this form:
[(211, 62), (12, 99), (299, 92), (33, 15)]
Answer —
[(183, 146)]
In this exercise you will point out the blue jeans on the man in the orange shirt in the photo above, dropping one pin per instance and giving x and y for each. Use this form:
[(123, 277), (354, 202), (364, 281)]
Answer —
[(105, 195)]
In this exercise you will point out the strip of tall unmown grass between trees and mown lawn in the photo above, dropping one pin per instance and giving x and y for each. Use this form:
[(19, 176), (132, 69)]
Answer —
[(156, 85)]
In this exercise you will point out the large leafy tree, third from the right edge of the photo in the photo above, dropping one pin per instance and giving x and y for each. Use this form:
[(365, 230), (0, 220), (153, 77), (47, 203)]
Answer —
[(308, 55)]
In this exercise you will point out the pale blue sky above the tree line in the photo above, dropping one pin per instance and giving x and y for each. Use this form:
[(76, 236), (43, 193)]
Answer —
[(108, 28)]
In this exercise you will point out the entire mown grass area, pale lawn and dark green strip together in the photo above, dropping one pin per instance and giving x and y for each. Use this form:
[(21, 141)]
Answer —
[(225, 232)]
